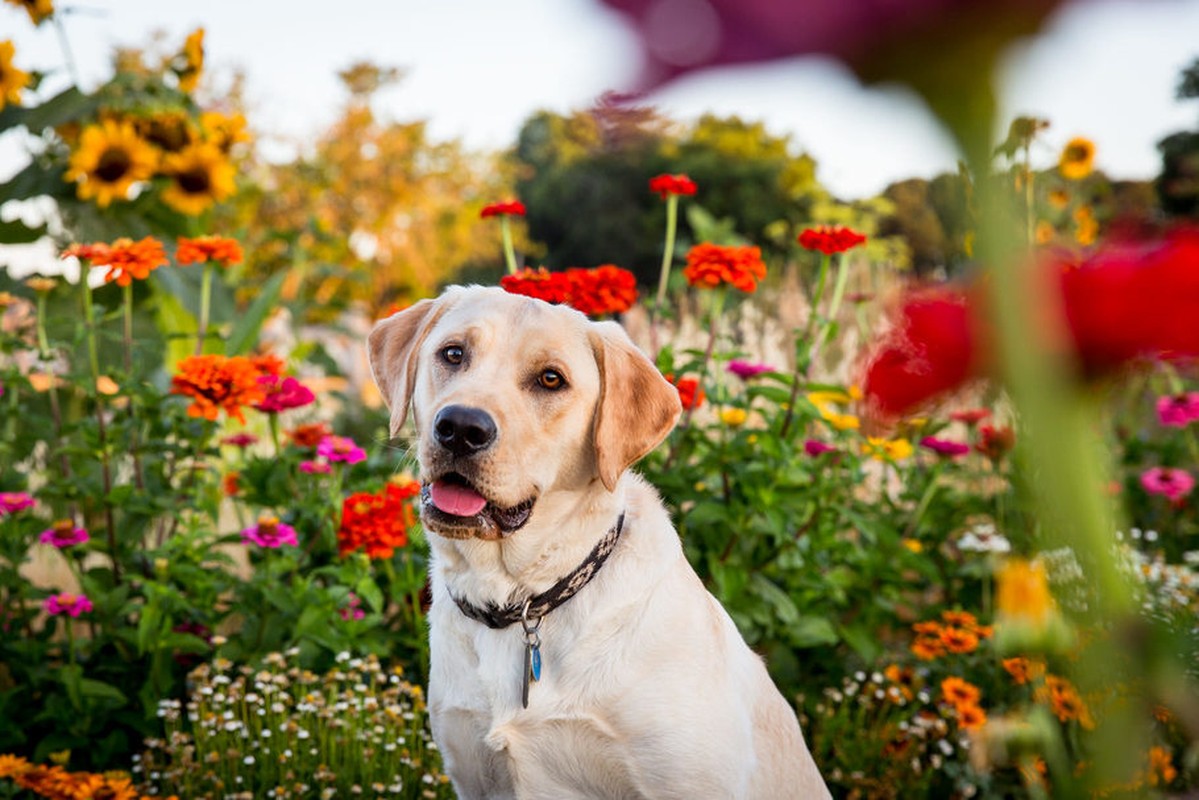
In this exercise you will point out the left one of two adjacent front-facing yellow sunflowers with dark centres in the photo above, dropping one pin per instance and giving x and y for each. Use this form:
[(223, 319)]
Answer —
[(111, 159)]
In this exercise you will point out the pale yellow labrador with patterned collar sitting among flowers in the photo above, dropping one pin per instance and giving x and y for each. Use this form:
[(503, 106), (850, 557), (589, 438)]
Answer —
[(575, 652)]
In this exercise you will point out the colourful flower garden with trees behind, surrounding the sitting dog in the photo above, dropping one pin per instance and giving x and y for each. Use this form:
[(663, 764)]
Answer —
[(953, 509)]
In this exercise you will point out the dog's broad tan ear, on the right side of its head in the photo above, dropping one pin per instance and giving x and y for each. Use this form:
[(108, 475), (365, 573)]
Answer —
[(638, 407)]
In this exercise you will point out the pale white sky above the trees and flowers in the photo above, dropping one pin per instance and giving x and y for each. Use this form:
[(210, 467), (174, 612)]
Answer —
[(477, 69)]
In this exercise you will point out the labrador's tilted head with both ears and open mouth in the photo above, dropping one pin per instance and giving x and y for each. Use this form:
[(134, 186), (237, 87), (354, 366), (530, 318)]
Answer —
[(514, 399)]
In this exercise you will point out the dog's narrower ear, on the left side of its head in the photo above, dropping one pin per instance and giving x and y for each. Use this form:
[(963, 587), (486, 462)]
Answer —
[(393, 348)]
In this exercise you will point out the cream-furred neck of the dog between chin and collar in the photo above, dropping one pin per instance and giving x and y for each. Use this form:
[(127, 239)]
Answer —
[(561, 534)]
